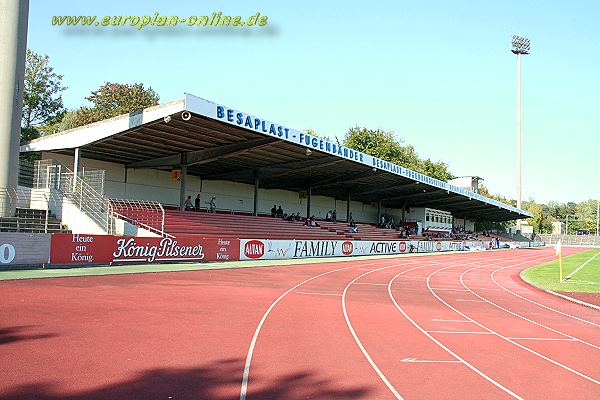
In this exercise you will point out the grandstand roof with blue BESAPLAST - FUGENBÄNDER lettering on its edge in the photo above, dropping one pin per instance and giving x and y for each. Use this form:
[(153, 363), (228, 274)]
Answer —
[(219, 143)]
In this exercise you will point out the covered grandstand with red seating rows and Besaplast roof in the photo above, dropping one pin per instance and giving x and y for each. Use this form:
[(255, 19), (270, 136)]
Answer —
[(157, 157)]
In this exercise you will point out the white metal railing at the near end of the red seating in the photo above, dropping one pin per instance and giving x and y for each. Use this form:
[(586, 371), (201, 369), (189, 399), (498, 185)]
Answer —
[(149, 215)]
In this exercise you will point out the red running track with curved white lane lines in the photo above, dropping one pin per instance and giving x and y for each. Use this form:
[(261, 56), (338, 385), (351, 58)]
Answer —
[(461, 326)]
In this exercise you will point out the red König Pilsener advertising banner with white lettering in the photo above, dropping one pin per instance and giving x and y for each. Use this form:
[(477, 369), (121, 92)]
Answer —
[(106, 249)]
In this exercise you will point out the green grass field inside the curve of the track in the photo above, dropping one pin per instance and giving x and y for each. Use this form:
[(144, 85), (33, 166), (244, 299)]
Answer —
[(586, 280)]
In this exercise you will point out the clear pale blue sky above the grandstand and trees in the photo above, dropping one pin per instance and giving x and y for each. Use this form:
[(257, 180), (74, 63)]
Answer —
[(437, 73)]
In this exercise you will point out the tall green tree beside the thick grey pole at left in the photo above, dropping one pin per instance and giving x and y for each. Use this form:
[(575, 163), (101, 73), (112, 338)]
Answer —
[(42, 99)]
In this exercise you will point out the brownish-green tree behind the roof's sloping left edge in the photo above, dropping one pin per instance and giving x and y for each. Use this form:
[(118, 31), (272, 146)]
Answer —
[(113, 99)]
